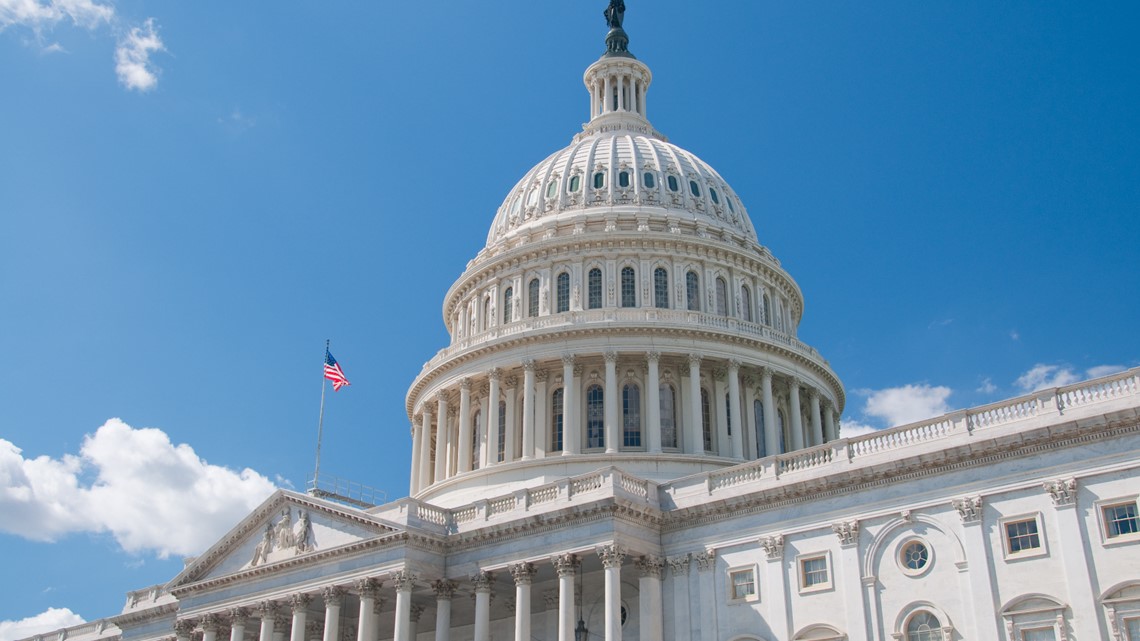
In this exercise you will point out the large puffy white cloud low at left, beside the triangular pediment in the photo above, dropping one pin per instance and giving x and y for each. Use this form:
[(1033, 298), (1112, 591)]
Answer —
[(135, 484)]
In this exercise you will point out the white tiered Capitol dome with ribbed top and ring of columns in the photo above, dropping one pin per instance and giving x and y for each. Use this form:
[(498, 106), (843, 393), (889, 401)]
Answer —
[(622, 314)]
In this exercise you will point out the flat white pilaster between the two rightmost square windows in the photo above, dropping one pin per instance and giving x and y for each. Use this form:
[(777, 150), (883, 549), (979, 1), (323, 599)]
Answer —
[(1074, 561)]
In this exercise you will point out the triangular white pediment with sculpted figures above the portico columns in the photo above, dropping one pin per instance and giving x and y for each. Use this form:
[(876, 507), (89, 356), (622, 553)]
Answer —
[(287, 528)]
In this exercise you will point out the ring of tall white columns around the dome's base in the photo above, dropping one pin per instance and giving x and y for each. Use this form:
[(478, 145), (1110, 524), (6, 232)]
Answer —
[(616, 402)]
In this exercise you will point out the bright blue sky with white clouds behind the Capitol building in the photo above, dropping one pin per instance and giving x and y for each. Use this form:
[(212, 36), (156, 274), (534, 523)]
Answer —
[(196, 196)]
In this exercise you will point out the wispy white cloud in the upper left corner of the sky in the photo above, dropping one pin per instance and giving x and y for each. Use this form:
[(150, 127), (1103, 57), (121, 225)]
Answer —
[(135, 44)]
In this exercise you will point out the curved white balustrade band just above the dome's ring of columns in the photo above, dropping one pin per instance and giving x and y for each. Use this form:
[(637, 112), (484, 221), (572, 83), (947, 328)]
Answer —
[(640, 315)]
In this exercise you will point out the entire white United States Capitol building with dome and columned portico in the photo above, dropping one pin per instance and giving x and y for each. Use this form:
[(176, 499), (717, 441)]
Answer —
[(626, 440)]
